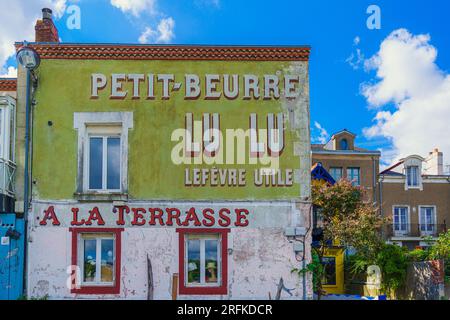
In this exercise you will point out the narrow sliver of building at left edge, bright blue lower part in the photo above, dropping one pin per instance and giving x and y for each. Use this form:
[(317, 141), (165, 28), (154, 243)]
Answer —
[(11, 225)]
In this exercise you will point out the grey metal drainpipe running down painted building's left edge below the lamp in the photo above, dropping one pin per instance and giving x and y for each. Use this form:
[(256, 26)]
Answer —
[(26, 174)]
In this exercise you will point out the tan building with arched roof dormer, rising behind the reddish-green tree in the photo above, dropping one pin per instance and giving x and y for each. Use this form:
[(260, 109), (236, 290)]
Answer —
[(343, 159)]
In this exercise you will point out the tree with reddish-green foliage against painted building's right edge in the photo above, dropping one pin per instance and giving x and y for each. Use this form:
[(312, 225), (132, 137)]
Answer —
[(346, 220)]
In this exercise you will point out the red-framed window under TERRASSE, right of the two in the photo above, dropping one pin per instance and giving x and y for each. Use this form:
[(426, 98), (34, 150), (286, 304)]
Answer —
[(203, 261)]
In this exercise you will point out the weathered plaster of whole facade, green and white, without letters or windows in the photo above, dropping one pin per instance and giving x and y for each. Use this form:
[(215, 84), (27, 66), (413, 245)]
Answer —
[(259, 254)]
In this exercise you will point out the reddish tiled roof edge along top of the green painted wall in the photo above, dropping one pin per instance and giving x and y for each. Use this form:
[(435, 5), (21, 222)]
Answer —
[(87, 51)]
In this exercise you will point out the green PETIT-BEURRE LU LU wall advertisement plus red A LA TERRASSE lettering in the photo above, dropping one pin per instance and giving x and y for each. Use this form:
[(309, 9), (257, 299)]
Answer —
[(201, 130)]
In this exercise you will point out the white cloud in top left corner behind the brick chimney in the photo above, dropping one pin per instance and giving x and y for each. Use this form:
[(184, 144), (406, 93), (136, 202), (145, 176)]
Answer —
[(18, 19)]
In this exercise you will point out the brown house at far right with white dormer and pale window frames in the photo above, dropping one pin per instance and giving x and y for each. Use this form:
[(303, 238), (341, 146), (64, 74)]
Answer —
[(415, 194)]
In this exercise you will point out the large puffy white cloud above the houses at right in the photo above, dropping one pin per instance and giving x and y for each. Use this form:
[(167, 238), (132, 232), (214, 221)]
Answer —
[(409, 80)]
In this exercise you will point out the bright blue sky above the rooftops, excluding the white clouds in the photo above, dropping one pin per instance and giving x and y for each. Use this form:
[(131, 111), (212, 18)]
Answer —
[(329, 27)]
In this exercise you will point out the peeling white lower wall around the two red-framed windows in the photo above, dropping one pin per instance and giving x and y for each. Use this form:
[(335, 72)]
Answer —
[(257, 257)]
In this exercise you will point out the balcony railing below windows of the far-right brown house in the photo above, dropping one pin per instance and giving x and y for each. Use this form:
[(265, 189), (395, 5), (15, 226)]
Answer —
[(415, 230)]
